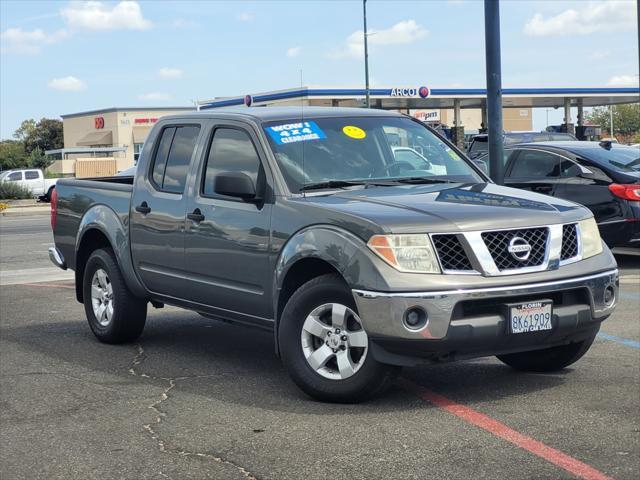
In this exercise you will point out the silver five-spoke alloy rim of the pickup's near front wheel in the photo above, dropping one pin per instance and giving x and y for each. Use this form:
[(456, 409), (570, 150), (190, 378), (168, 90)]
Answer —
[(334, 342)]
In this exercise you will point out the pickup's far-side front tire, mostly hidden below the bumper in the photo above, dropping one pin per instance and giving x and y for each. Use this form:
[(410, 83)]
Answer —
[(548, 360)]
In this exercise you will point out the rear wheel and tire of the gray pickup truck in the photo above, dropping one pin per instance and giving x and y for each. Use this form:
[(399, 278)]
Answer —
[(124, 314)]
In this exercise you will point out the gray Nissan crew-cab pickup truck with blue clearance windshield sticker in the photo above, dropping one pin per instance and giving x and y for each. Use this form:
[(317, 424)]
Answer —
[(363, 240)]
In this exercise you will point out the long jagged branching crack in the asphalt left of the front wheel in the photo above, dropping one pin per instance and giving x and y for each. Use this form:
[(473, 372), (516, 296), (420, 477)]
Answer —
[(161, 416)]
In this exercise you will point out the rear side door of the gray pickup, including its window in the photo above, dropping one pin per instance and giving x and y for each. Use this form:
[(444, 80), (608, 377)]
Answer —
[(158, 209)]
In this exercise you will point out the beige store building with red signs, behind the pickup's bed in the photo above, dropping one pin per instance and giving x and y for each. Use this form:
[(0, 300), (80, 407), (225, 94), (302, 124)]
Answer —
[(104, 142)]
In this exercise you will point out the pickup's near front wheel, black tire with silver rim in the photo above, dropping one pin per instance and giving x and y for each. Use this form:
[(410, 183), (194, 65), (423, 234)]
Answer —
[(358, 376)]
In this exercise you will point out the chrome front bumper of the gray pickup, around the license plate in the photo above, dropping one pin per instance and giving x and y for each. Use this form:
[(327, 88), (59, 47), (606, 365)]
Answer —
[(382, 312)]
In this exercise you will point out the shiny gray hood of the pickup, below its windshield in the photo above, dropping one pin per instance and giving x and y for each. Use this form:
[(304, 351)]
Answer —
[(450, 207)]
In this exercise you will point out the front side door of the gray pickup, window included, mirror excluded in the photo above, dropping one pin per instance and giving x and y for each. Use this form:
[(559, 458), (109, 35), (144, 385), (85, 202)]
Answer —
[(227, 239)]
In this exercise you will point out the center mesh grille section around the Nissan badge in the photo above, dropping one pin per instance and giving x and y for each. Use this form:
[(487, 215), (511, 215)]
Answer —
[(498, 244)]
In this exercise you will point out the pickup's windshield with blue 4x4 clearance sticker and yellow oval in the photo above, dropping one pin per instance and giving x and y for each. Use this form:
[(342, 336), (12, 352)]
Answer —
[(362, 150)]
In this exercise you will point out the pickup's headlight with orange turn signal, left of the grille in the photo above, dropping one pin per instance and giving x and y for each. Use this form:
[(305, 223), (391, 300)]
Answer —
[(407, 253)]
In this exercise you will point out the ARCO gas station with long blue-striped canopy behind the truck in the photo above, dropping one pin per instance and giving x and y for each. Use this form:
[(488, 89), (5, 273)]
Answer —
[(463, 109)]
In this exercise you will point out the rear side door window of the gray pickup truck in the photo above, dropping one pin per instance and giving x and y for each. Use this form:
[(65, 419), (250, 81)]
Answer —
[(173, 156)]
